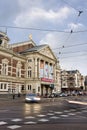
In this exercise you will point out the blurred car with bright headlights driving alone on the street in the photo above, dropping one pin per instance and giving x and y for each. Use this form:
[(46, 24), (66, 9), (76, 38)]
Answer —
[(32, 97)]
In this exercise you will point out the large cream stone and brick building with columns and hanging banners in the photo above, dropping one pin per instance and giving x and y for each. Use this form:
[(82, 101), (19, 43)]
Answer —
[(28, 68)]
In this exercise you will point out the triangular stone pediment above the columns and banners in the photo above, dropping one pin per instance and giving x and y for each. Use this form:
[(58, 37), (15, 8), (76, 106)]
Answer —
[(46, 51)]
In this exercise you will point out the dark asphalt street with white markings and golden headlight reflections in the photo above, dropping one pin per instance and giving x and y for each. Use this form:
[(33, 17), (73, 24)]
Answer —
[(18, 115)]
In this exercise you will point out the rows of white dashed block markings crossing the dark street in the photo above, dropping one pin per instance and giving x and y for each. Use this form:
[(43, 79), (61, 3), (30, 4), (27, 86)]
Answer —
[(47, 117)]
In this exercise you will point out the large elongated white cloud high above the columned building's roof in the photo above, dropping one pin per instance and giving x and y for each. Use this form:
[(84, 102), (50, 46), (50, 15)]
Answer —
[(34, 16)]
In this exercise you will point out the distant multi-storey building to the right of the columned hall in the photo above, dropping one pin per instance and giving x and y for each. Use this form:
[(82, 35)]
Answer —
[(72, 80)]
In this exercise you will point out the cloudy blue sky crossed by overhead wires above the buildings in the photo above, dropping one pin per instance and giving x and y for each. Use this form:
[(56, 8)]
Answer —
[(62, 24)]
